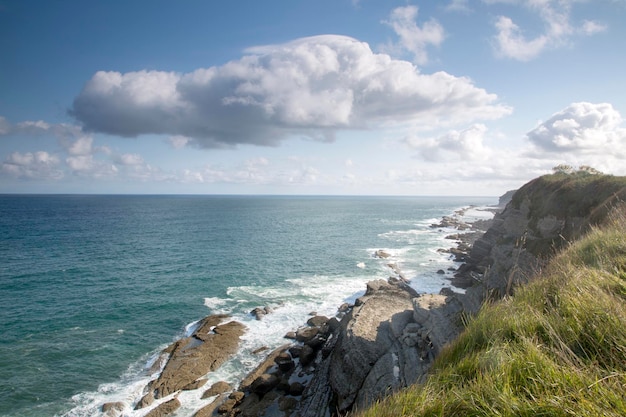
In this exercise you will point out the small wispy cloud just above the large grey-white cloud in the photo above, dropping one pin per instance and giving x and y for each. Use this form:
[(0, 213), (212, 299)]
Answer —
[(413, 38)]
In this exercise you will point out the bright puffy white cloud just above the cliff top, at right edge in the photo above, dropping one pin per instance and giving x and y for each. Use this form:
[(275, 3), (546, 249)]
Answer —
[(582, 128)]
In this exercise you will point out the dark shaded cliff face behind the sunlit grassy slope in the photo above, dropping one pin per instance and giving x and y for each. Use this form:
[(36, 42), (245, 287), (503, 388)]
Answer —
[(542, 217)]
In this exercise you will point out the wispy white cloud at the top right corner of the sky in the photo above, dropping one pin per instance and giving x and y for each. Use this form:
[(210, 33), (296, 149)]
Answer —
[(511, 42)]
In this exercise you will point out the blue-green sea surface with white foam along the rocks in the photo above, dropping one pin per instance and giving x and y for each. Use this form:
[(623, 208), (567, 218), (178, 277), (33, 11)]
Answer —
[(92, 287)]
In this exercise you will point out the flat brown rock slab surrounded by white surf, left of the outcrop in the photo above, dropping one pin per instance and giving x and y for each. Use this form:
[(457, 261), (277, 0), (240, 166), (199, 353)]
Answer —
[(193, 357)]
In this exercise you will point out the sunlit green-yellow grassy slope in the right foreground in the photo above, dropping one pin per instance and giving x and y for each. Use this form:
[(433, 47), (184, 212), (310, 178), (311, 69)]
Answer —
[(558, 348)]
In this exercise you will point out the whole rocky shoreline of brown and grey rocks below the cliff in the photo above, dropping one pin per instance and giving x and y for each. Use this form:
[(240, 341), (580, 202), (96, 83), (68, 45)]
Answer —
[(383, 342)]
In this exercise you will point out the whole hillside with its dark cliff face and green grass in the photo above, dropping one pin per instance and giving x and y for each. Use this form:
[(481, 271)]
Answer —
[(557, 347)]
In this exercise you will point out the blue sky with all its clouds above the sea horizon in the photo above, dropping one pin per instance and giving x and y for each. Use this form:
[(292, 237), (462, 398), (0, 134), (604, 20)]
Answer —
[(324, 97)]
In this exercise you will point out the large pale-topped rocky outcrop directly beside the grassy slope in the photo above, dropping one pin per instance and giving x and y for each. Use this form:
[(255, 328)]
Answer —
[(378, 348)]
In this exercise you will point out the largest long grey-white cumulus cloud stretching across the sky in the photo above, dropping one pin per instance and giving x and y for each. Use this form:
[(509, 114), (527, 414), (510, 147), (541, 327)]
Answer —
[(310, 87)]
